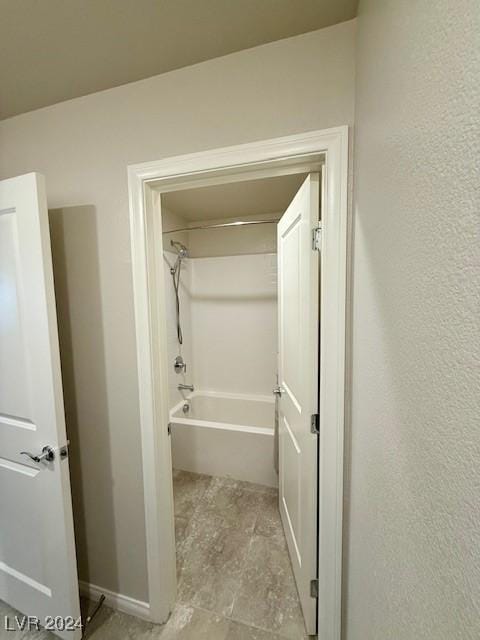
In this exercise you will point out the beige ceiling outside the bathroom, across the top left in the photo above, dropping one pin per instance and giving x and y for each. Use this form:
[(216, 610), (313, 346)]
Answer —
[(54, 50)]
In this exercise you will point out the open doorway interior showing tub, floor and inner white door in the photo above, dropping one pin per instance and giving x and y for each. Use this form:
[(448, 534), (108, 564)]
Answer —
[(243, 384)]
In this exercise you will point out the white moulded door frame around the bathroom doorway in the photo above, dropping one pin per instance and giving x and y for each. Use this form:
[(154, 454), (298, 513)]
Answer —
[(146, 182)]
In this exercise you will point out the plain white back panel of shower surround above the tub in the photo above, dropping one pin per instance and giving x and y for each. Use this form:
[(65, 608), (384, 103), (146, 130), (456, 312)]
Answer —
[(233, 302)]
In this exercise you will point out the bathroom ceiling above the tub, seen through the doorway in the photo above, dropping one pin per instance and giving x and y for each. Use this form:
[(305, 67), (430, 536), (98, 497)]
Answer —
[(234, 200)]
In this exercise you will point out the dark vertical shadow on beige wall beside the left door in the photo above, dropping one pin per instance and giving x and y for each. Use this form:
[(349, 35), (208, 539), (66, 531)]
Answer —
[(73, 232)]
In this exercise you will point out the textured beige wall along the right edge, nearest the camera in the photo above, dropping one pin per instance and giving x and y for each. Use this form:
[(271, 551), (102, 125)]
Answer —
[(413, 561)]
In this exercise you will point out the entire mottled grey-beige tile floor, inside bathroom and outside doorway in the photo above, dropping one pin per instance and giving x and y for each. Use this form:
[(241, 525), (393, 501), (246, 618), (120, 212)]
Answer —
[(234, 576)]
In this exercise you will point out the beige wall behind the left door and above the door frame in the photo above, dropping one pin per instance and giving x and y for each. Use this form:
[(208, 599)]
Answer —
[(83, 147)]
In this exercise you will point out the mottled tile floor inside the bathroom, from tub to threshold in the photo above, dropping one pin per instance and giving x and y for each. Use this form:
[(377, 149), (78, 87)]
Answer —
[(232, 559)]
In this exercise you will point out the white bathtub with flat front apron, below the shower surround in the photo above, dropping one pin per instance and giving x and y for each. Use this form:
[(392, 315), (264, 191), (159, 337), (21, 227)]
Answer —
[(225, 435)]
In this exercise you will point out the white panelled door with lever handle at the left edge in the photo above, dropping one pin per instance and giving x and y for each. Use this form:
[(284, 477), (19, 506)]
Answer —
[(38, 573)]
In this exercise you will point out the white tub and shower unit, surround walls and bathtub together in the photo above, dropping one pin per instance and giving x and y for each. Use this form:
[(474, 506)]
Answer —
[(229, 321)]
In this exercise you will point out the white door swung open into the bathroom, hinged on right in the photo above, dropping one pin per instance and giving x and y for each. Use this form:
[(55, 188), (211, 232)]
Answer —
[(298, 291)]
